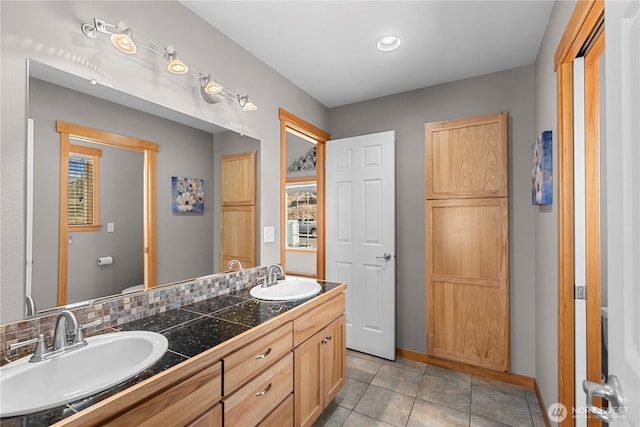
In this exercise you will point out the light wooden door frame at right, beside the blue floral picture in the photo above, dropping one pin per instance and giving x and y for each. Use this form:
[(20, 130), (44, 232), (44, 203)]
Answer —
[(585, 20)]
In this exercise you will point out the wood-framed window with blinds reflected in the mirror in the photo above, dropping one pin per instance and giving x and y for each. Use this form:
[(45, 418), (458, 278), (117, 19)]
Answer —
[(82, 199)]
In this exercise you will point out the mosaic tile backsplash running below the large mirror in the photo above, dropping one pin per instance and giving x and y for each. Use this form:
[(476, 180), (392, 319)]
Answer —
[(116, 310)]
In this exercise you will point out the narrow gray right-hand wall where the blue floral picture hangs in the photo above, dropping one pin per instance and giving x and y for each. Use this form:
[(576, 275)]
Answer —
[(546, 217)]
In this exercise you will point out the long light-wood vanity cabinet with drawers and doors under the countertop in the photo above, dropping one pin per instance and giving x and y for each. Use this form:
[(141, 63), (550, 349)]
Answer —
[(279, 374)]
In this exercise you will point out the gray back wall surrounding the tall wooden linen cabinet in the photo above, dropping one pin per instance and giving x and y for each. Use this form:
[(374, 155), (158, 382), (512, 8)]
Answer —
[(511, 91)]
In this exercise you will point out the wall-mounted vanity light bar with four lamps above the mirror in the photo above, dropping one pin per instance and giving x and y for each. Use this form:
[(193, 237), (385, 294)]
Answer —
[(122, 37)]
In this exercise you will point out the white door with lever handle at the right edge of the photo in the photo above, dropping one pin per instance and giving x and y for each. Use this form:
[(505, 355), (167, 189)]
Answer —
[(623, 188)]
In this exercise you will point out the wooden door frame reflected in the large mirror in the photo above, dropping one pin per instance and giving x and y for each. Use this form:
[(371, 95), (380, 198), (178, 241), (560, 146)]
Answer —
[(149, 150)]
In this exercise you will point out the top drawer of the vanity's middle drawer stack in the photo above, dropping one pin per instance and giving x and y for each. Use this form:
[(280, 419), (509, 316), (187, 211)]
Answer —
[(245, 363)]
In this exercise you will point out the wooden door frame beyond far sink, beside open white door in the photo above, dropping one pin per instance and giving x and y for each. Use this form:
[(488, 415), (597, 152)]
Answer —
[(291, 123)]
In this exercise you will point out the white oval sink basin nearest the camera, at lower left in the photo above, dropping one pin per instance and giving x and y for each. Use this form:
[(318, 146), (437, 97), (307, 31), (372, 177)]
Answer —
[(106, 361)]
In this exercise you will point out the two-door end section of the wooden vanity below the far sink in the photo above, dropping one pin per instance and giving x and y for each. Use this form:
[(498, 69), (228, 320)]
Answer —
[(320, 360)]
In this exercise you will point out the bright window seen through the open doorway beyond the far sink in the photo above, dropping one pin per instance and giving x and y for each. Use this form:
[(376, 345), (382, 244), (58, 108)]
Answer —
[(302, 215)]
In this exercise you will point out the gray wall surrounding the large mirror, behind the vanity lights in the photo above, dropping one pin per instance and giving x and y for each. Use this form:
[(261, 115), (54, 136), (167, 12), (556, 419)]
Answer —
[(49, 32)]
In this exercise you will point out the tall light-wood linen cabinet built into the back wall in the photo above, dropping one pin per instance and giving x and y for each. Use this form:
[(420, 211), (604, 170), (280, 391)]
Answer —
[(467, 240)]
